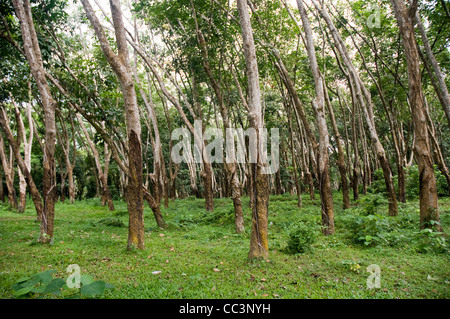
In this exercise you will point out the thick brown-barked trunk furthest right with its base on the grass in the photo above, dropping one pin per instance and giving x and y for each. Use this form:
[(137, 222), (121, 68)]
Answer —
[(428, 200)]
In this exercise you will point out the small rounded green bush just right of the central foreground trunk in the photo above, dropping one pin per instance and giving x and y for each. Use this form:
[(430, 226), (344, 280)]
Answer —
[(301, 238)]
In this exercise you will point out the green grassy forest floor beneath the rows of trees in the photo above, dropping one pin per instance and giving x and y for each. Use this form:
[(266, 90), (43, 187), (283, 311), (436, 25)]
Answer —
[(200, 256)]
